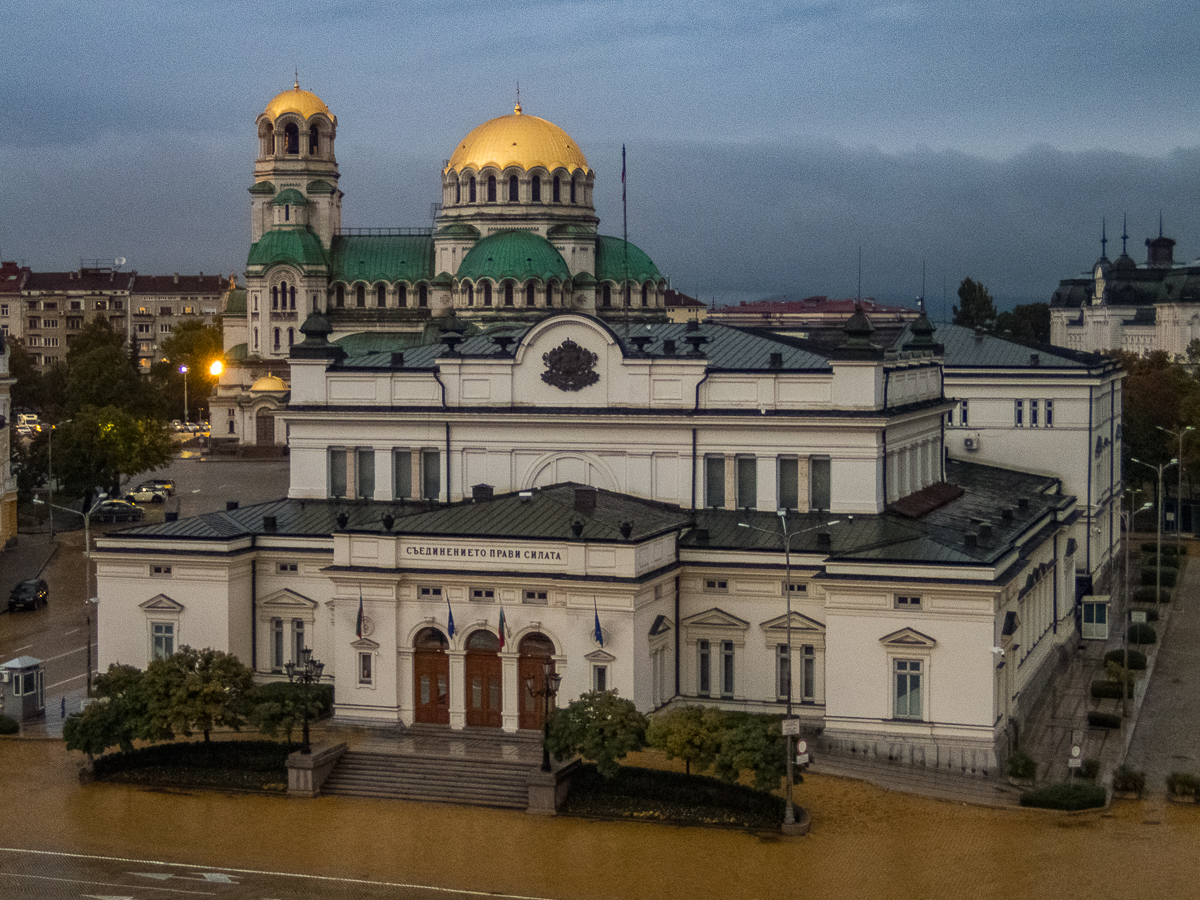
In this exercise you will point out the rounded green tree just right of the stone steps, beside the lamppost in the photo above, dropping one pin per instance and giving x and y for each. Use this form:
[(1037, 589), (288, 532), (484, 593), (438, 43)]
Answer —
[(599, 727)]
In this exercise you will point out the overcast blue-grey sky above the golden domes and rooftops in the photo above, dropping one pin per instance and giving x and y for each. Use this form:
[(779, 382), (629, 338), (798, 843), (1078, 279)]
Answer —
[(769, 143)]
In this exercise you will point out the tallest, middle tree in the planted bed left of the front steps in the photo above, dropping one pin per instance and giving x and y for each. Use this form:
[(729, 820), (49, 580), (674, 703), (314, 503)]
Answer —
[(195, 691)]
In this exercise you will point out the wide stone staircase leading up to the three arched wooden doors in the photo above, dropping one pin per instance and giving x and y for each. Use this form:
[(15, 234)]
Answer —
[(437, 779)]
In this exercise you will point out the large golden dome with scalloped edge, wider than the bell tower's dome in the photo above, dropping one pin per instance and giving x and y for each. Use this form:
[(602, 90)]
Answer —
[(518, 140)]
